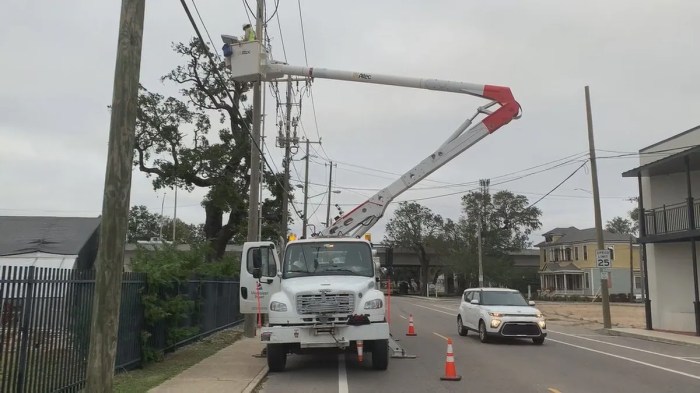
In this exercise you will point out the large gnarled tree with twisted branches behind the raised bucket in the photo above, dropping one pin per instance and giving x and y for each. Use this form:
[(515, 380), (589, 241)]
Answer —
[(177, 145)]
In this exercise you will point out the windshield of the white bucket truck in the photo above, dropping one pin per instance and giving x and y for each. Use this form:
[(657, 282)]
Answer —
[(328, 258)]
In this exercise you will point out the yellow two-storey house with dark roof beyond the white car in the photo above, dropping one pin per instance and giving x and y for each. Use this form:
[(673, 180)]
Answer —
[(568, 266)]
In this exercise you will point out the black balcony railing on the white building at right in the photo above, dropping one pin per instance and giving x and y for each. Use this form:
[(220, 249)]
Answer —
[(670, 218)]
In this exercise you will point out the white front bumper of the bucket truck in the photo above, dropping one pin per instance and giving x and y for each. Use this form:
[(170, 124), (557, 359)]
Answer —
[(324, 336)]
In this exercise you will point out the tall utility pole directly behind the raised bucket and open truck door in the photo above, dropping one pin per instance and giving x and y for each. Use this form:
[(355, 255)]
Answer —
[(254, 194)]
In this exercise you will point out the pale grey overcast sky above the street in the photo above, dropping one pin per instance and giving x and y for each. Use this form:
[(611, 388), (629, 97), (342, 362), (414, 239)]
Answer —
[(639, 57)]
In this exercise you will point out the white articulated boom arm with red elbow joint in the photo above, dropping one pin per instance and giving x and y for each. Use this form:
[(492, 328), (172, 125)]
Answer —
[(358, 221)]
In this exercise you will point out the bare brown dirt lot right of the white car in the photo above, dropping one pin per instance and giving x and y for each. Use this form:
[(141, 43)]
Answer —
[(591, 314)]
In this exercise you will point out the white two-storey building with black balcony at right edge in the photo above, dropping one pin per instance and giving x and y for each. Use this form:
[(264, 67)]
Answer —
[(669, 228)]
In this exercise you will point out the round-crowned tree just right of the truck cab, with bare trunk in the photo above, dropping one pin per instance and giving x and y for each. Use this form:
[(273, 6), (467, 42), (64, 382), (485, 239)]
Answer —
[(415, 227)]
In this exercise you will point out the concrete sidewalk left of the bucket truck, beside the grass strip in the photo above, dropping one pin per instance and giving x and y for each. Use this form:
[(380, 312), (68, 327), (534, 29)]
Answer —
[(231, 370)]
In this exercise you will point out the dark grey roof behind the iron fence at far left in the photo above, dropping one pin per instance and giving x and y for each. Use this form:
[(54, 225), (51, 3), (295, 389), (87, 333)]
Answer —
[(51, 235)]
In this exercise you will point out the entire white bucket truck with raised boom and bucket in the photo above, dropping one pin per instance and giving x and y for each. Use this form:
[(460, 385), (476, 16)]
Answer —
[(325, 292)]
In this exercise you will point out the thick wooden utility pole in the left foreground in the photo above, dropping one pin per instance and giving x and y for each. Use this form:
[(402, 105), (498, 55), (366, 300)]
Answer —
[(115, 205)]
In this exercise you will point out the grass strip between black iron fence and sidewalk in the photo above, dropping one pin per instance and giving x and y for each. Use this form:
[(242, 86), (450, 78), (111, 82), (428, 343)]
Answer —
[(152, 375)]
